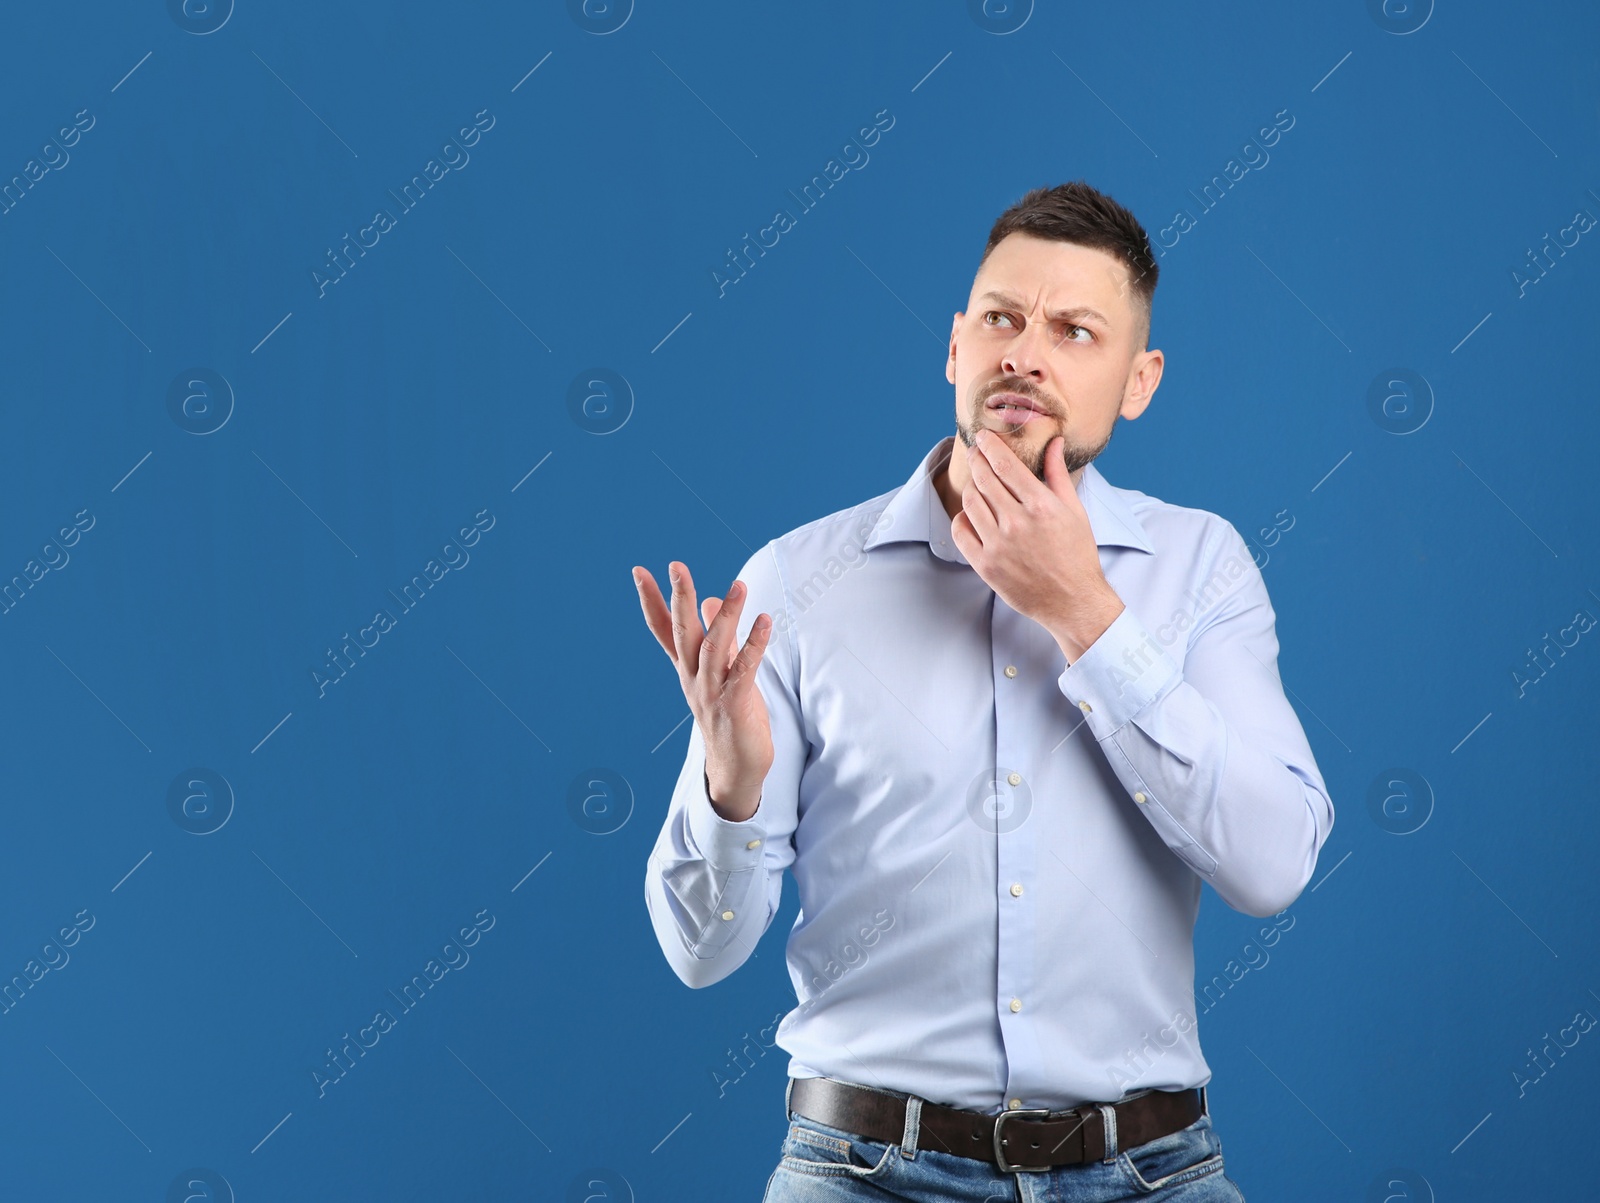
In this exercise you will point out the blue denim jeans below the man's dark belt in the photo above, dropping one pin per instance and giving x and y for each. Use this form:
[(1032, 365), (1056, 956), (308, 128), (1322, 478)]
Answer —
[(828, 1165)]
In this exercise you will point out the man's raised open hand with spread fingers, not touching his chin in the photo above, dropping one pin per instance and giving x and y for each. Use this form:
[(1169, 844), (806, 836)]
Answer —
[(719, 684)]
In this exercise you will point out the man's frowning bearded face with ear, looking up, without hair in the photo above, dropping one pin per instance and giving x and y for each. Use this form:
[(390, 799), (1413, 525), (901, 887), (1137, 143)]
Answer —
[(1049, 326)]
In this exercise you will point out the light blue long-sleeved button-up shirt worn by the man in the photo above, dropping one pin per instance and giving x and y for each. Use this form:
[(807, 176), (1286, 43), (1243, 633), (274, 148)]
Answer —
[(999, 855)]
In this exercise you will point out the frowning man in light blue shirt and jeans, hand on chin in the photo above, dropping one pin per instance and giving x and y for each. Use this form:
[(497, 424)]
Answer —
[(1001, 722)]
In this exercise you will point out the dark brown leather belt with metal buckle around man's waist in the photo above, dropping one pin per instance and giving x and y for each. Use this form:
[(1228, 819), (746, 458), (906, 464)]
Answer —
[(1039, 1140)]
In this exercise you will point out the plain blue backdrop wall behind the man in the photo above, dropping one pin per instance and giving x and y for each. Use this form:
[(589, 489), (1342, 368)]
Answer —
[(1420, 542)]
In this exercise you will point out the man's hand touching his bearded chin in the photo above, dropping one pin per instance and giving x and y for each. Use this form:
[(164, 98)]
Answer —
[(1033, 543)]
